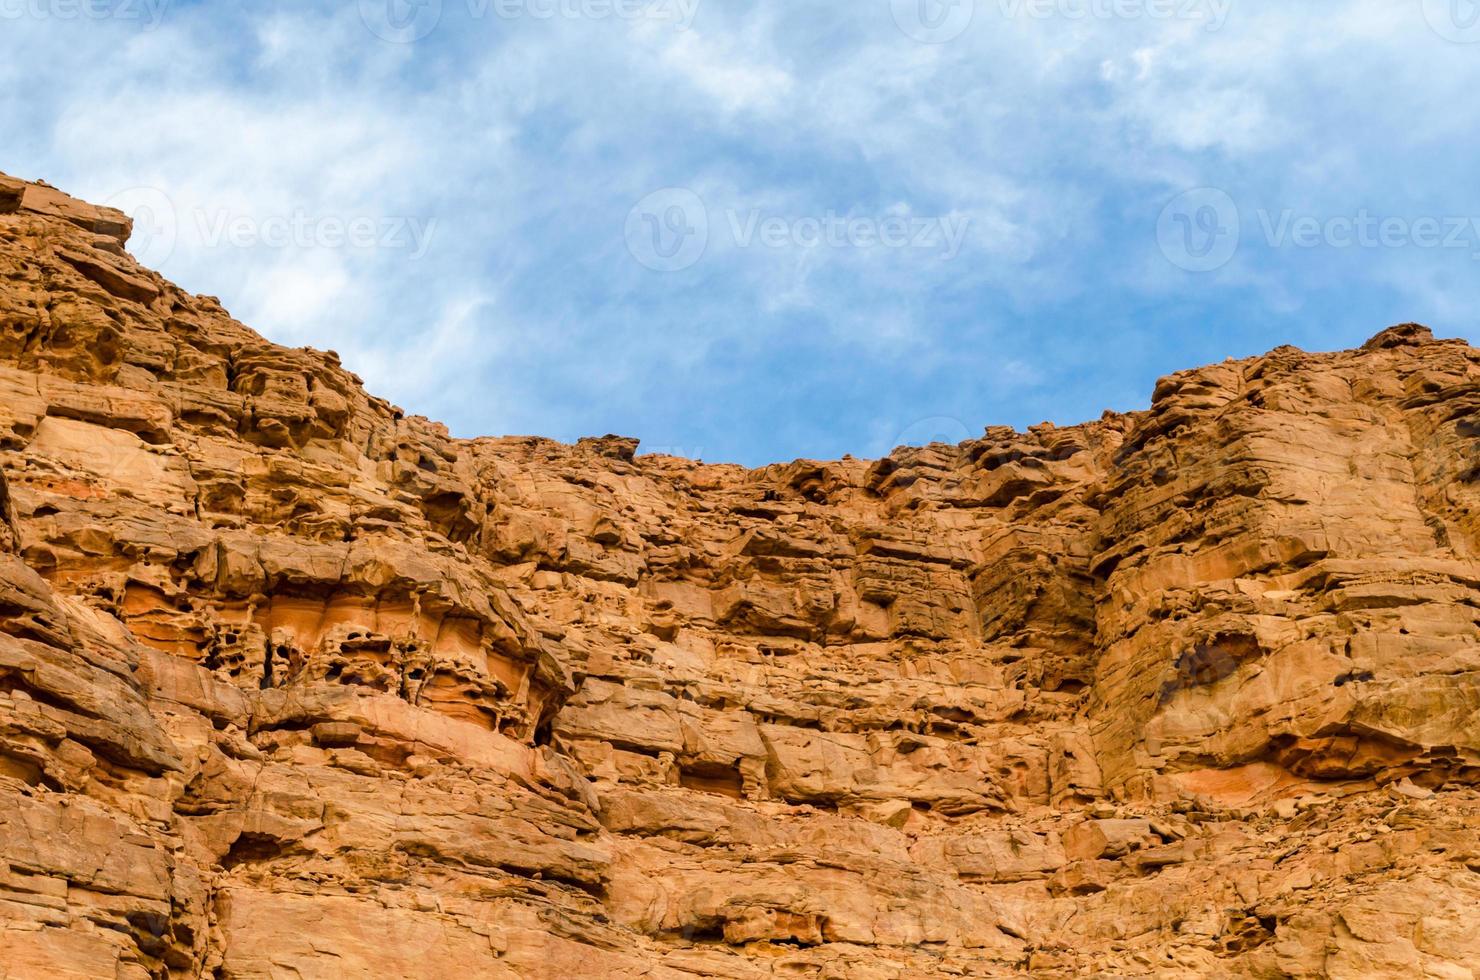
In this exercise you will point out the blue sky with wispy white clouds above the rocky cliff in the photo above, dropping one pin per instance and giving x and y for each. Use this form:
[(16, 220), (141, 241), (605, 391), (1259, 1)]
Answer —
[(757, 232)]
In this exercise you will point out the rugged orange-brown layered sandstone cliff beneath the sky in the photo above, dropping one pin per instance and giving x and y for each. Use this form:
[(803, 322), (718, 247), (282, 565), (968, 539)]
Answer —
[(294, 686)]
